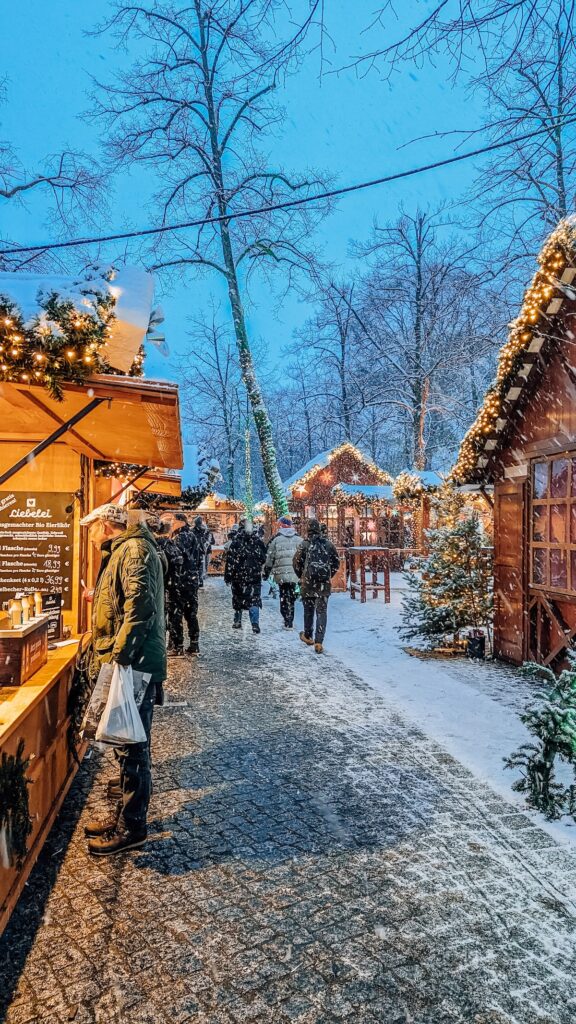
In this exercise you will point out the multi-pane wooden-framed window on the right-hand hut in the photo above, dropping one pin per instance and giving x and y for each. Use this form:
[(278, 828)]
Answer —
[(553, 524)]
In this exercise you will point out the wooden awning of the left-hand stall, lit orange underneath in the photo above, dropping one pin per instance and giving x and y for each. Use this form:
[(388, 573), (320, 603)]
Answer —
[(139, 423)]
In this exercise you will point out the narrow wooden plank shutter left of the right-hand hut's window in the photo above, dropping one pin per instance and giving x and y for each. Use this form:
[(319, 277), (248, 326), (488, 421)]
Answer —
[(510, 590)]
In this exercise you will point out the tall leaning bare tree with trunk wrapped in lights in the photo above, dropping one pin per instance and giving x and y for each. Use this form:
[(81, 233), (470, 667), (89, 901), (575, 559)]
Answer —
[(194, 109)]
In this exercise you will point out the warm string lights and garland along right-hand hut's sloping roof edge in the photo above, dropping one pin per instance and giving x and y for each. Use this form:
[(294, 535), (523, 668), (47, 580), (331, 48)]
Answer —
[(525, 336)]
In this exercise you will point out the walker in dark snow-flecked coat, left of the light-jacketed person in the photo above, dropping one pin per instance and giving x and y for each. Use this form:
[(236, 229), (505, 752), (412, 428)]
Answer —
[(245, 559)]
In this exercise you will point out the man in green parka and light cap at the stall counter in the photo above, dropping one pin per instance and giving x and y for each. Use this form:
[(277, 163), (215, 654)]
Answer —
[(129, 628)]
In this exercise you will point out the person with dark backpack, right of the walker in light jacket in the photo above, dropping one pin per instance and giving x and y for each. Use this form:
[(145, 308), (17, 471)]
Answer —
[(315, 564)]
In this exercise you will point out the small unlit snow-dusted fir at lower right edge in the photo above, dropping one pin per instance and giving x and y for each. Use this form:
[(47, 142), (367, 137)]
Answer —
[(552, 719)]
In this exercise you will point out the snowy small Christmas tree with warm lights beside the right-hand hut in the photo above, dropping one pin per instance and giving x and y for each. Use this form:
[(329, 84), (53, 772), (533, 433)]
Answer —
[(454, 588)]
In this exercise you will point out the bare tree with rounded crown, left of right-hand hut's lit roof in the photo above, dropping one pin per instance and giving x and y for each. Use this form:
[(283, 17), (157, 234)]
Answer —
[(427, 317)]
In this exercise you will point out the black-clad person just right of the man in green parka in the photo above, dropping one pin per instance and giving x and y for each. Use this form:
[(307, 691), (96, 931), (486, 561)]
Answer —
[(184, 595)]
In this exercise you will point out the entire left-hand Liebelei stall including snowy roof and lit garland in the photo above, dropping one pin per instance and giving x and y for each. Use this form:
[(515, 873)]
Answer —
[(72, 401)]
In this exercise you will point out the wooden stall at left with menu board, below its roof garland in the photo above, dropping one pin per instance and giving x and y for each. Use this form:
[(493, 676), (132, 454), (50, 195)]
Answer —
[(49, 451)]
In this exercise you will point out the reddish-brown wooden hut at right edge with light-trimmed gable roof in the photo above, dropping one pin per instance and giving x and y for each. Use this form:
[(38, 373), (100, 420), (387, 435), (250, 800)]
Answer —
[(523, 445)]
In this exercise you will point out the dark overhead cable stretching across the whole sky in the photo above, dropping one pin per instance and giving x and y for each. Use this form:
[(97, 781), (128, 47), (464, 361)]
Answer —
[(290, 203)]
